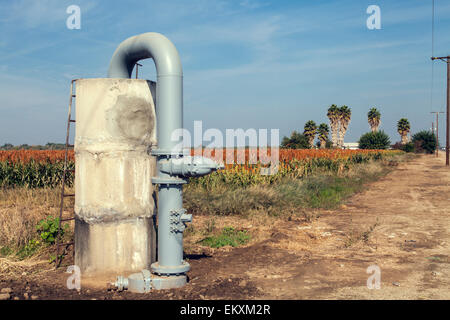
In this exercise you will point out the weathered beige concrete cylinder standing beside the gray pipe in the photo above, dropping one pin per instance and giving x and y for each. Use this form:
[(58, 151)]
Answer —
[(114, 196)]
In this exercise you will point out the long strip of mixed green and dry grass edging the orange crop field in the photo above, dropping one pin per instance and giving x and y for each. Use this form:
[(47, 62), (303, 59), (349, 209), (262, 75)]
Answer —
[(319, 191)]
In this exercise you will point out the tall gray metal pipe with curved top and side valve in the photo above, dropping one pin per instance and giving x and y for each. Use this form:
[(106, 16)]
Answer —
[(172, 169)]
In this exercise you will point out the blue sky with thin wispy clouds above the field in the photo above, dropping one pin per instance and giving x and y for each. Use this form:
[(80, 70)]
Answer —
[(247, 63)]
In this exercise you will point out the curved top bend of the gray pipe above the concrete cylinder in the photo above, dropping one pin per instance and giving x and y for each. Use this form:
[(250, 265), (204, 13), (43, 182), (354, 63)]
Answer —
[(147, 45)]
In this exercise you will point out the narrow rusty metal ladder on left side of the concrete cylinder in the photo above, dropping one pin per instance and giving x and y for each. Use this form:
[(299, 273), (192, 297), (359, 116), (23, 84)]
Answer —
[(63, 182)]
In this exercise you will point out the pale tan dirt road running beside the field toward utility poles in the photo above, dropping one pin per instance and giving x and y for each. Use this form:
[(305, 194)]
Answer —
[(409, 211)]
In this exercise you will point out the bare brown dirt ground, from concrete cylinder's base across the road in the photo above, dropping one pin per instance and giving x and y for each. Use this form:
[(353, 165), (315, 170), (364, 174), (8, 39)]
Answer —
[(400, 223)]
